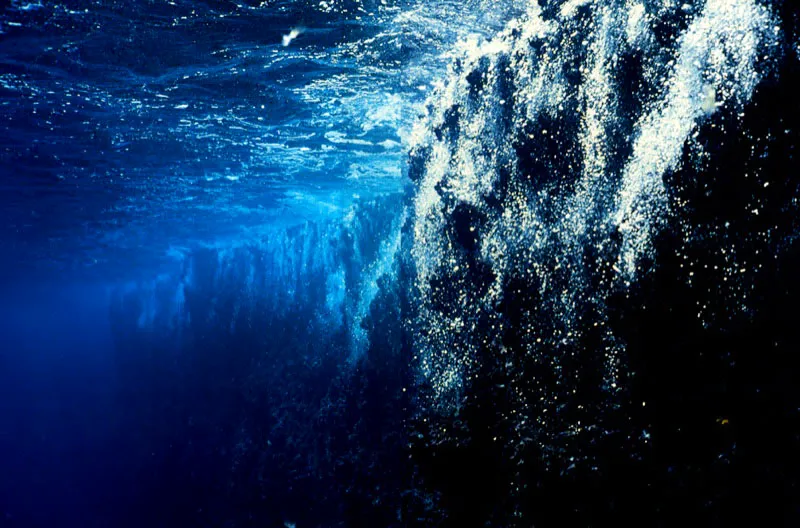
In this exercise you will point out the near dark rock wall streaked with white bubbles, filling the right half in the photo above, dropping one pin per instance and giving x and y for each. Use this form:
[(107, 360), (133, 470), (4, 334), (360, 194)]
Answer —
[(602, 225)]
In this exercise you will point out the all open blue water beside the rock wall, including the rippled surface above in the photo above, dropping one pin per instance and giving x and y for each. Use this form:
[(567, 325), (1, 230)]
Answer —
[(134, 134)]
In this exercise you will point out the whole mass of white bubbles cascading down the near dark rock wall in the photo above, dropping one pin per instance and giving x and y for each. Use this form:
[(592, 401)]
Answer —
[(714, 64)]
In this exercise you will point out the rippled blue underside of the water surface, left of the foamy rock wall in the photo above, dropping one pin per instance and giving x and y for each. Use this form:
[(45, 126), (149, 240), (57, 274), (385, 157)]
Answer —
[(130, 127)]
